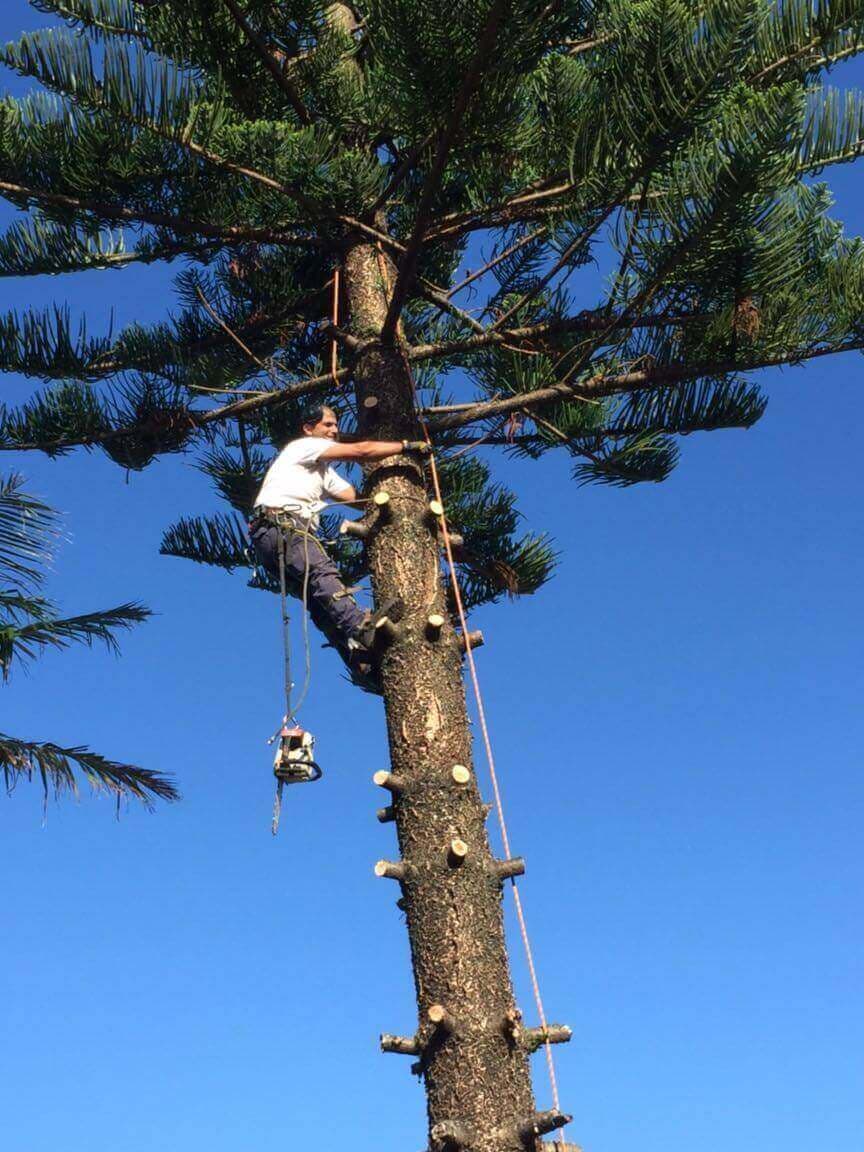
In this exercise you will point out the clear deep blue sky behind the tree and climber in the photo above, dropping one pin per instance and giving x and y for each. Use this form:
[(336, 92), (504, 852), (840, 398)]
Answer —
[(679, 727)]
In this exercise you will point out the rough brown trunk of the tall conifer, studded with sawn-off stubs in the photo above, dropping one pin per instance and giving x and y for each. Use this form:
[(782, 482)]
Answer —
[(468, 1044)]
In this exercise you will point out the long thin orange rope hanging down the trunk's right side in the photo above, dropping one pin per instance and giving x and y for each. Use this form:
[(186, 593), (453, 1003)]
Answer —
[(481, 716)]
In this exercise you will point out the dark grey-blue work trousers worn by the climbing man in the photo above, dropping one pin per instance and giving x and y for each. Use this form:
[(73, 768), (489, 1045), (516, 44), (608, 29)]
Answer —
[(332, 609)]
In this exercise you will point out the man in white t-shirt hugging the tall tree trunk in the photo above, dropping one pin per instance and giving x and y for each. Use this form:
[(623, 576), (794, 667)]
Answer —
[(286, 518)]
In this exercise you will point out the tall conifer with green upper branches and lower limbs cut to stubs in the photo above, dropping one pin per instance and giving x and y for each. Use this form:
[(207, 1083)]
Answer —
[(390, 203)]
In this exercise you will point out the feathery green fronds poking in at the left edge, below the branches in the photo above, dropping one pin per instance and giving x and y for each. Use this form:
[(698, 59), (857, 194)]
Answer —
[(31, 626)]
